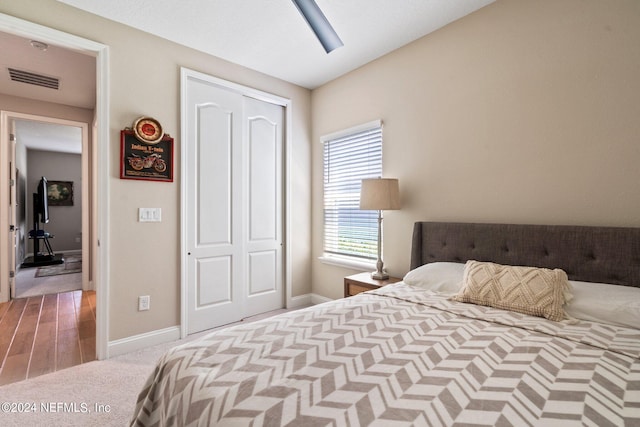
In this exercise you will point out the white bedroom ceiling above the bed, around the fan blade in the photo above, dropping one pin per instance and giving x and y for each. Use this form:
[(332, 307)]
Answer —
[(271, 36)]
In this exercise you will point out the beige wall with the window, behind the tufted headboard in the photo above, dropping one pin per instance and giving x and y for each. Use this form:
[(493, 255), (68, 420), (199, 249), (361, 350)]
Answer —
[(523, 112)]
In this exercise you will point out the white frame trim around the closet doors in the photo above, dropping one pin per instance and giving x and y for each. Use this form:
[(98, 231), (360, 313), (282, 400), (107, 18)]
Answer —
[(185, 75)]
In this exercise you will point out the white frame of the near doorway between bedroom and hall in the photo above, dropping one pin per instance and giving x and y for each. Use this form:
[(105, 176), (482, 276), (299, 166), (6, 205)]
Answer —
[(22, 28)]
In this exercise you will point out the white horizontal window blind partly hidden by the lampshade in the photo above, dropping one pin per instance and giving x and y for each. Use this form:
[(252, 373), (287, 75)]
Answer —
[(350, 157)]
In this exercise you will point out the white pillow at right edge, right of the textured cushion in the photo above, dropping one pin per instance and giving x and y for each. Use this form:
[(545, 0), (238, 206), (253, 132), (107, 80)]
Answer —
[(605, 303)]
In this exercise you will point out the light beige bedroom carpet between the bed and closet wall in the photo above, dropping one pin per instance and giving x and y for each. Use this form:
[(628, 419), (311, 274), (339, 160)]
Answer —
[(100, 393)]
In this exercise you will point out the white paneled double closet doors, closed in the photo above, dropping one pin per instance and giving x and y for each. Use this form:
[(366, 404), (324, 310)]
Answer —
[(234, 205)]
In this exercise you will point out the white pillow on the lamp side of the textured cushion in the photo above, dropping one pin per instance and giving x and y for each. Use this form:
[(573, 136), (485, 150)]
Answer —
[(441, 277)]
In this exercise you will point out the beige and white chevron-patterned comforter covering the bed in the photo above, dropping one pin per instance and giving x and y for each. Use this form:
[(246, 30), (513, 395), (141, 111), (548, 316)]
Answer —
[(399, 356)]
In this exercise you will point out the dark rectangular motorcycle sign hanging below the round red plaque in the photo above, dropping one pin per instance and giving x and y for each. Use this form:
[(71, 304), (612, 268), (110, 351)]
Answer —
[(144, 159)]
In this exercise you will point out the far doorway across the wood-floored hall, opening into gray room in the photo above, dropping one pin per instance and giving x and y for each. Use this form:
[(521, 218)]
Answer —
[(52, 256)]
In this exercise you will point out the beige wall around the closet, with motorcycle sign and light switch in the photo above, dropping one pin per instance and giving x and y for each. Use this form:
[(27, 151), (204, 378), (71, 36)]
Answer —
[(145, 80)]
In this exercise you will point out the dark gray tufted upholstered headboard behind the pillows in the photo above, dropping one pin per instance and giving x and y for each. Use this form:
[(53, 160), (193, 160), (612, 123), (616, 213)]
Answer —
[(589, 254)]
